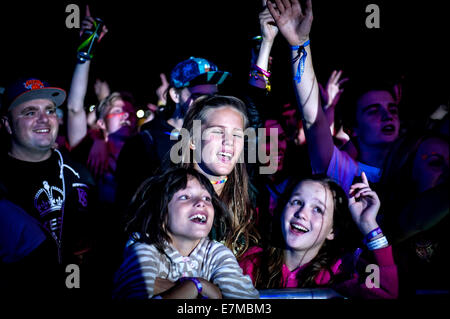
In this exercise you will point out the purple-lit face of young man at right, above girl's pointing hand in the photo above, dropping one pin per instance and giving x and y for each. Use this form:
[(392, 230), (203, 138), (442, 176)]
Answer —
[(377, 118)]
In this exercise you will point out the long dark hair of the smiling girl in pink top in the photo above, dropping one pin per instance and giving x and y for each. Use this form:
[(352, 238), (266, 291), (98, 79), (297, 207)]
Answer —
[(269, 275)]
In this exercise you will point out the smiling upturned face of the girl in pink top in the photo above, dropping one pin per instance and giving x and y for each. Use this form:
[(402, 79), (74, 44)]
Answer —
[(307, 219)]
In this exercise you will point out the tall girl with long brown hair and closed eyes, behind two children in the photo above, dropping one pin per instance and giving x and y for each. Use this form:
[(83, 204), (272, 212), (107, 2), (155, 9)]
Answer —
[(216, 131)]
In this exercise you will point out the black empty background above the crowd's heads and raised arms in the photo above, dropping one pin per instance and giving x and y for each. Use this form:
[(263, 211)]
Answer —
[(149, 37)]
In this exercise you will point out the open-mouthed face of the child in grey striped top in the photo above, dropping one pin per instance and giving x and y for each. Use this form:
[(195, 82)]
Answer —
[(191, 213)]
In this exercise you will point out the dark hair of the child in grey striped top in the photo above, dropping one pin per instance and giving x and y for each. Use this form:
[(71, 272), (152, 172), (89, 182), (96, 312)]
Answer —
[(148, 210)]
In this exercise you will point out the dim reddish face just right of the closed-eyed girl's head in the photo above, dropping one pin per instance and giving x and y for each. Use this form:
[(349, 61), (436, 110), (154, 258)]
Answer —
[(275, 151)]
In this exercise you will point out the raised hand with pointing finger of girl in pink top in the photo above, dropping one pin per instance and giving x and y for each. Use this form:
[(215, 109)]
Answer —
[(364, 205)]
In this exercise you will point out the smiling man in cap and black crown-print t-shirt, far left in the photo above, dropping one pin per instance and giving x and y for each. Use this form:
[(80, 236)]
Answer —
[(40, 179)]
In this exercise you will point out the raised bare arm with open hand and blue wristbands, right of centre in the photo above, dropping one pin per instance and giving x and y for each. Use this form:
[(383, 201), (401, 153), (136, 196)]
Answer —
[(294, 23)]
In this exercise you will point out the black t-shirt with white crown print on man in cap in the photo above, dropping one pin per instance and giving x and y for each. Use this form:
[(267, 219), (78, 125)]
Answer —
[(55, 192)]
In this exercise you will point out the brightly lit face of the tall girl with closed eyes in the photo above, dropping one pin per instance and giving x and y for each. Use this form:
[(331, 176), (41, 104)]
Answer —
[(222, 141)]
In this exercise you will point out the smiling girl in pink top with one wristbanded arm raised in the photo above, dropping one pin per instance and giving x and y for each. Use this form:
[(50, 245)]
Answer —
[(316, 235)]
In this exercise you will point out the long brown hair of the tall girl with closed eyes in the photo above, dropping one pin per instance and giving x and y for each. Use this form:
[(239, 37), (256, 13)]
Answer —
[(235, 193)]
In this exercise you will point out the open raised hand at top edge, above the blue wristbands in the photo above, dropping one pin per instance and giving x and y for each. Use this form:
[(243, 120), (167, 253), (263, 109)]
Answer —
[(293, 23)]
